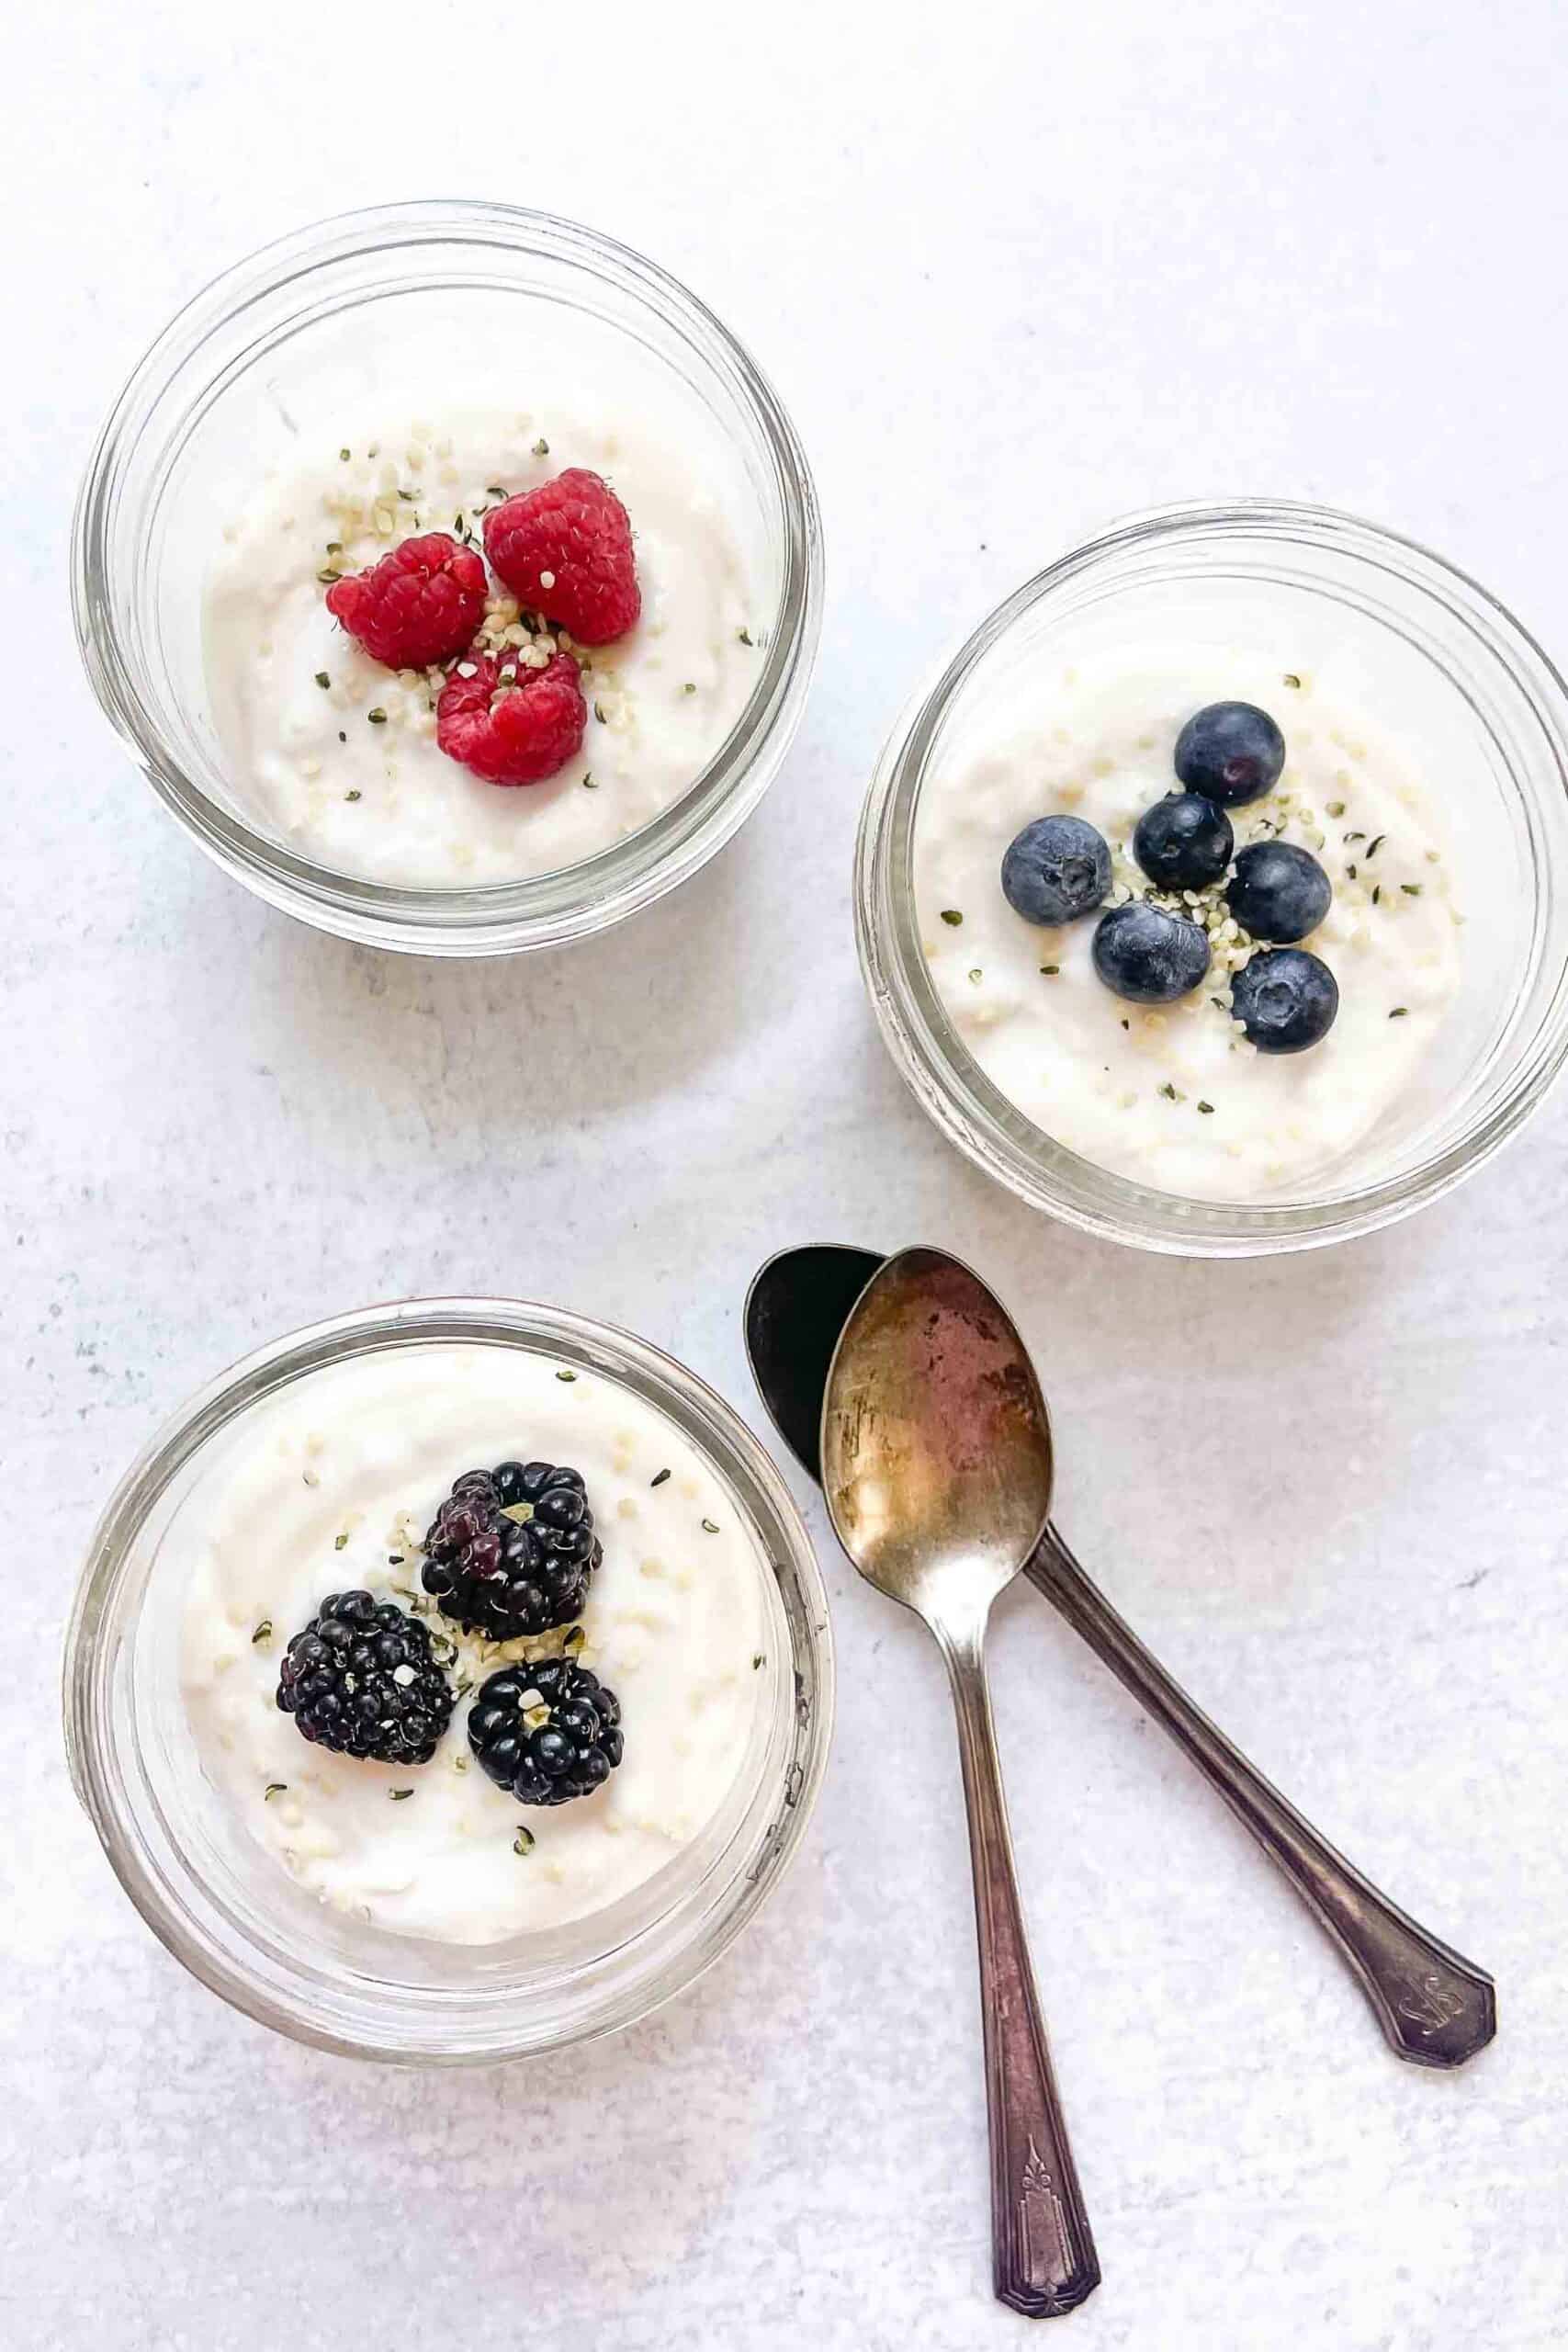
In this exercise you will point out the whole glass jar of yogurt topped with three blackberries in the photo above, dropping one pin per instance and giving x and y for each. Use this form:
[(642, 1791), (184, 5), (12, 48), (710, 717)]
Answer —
[(453, 1681)]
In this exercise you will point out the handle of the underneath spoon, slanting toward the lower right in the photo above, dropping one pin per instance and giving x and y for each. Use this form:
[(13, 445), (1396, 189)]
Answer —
[(1433, 2005)]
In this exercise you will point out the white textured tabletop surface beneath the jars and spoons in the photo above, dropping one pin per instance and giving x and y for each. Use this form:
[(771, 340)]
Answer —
[(1014, 269)]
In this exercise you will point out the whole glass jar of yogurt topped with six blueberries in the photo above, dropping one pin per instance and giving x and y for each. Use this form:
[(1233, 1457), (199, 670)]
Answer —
[(1212, 895)]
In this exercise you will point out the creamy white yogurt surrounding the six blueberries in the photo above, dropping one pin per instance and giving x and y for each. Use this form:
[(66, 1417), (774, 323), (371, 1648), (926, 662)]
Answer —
[(1174, 1097)]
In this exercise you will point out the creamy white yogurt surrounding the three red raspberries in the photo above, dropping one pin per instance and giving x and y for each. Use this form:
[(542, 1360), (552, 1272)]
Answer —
[(377, 796)]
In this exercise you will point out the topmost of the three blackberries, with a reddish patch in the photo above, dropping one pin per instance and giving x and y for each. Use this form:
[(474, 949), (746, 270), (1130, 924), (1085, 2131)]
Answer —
[(511, 1551)]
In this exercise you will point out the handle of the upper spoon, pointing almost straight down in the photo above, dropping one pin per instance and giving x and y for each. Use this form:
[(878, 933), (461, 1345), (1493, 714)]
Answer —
[(1043, 2254)]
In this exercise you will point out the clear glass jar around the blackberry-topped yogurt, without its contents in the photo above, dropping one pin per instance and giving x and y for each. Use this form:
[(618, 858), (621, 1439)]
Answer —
[(225, 1906)]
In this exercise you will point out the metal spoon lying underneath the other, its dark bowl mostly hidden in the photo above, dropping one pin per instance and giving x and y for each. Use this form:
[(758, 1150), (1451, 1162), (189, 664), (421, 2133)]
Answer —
[(1433, 2005)]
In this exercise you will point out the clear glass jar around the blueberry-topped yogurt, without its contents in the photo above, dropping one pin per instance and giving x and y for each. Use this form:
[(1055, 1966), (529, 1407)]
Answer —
[(1454, 674)]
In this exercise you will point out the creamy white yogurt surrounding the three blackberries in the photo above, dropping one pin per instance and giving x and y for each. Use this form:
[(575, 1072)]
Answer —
[(330, 1488)]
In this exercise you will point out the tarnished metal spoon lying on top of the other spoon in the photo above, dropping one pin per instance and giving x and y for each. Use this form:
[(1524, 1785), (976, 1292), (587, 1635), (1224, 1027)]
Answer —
[(937, 1469)]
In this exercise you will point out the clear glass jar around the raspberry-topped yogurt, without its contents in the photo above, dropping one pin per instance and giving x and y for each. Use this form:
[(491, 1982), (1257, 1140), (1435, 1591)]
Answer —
[(361, 302)]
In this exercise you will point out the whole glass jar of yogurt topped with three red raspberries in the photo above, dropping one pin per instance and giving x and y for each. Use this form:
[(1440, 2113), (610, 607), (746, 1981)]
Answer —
[(455, 577)]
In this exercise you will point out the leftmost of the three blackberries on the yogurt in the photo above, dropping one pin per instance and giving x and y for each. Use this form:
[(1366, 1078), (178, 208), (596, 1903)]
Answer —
[(361, 1678)]
